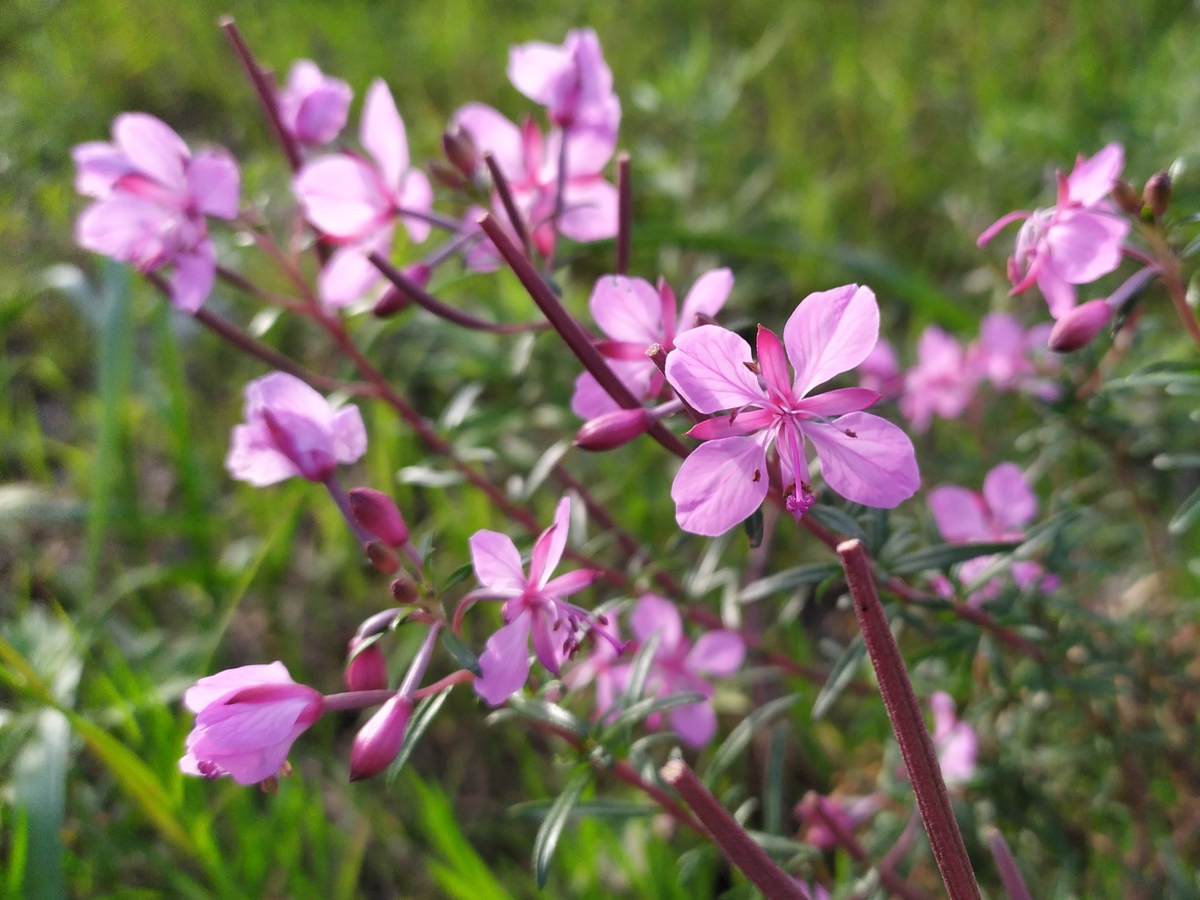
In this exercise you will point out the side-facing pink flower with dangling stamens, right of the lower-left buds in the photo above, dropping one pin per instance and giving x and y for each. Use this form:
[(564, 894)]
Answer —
[(532, 607)]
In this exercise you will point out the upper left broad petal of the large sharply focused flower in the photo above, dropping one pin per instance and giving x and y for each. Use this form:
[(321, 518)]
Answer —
[(709, 368)]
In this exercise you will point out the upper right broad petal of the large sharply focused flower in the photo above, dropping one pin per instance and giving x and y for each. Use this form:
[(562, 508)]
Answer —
[(831, 333)]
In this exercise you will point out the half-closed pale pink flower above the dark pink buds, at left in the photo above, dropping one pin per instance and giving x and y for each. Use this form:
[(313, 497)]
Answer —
[(292, 430)]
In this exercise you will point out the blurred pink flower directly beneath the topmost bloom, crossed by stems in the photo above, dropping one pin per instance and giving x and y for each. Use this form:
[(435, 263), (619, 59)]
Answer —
[(531, 165)]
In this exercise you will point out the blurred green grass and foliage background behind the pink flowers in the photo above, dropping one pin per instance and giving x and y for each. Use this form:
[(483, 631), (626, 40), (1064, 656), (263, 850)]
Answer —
[(805, 145)]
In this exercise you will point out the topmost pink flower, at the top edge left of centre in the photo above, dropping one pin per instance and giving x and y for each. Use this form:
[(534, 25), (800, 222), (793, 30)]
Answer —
[(573, 82)]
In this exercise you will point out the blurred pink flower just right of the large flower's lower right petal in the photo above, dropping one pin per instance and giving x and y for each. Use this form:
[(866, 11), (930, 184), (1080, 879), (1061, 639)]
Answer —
[(999, 514)]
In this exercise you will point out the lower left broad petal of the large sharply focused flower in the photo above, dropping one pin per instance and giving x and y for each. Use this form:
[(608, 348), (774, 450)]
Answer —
[(719, 485)]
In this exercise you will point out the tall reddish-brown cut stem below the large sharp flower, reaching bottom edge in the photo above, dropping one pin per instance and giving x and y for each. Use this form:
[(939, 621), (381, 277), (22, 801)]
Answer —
[(909, 724)]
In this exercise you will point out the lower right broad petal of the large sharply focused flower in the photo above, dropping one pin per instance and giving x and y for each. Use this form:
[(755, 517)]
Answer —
[(877, 469)]
